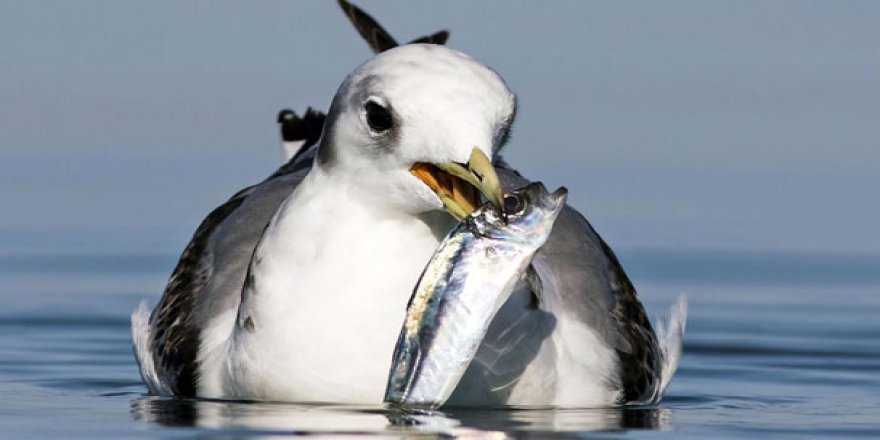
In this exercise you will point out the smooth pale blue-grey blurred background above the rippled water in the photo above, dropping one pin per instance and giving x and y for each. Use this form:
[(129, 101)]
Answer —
[(744, 127)]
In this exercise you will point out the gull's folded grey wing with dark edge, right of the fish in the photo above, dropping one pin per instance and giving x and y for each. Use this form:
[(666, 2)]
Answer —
[(582, 273)]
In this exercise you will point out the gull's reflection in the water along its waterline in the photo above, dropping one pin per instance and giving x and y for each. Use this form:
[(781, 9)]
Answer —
[(252, 418)]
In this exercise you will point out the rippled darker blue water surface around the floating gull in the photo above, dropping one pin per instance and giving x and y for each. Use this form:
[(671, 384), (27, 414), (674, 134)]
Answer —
[(776, 345)]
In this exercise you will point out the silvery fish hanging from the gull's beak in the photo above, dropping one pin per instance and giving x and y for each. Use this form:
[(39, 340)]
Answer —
[(470, 276)]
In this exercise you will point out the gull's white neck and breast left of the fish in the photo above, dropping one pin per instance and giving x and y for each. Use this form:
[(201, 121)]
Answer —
[(332, 271)]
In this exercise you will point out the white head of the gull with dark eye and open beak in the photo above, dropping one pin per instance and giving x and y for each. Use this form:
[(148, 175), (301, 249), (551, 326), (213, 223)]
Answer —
[(417, 126)]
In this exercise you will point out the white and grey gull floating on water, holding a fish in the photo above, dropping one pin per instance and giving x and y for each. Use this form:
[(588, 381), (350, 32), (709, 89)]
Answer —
[(295, 288)]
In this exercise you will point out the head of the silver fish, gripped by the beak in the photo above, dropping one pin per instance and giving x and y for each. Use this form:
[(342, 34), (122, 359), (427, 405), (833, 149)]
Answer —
[(527, 215)]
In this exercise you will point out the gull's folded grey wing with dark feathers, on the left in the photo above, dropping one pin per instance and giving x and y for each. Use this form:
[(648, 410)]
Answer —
[(208, 278)]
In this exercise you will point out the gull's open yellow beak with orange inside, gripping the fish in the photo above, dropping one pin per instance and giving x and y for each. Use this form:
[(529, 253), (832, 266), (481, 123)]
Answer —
[(459, 185)]
